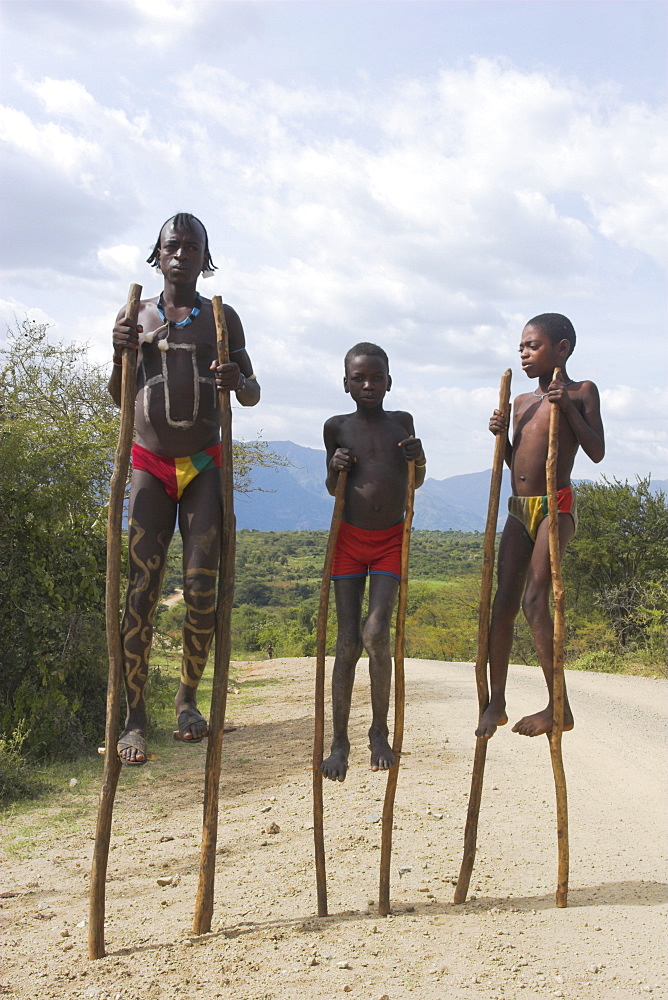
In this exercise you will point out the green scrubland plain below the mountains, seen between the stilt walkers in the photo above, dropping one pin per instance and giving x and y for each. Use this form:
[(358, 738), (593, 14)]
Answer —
[(278, 585)]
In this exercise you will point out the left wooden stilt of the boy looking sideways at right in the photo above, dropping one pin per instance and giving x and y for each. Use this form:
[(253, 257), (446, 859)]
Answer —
[(475, 795)]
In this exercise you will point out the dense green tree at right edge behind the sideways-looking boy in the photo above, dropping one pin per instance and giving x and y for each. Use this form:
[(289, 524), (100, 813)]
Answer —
[(617, 564)]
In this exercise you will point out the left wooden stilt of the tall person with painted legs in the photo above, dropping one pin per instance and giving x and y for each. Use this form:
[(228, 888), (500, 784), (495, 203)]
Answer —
[(112, 763)]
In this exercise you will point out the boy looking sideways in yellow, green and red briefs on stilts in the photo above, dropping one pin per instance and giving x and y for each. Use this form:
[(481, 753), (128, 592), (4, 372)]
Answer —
[(524, 559)]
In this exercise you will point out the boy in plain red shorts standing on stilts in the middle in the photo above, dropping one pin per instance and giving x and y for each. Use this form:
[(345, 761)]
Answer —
[(373, 445)]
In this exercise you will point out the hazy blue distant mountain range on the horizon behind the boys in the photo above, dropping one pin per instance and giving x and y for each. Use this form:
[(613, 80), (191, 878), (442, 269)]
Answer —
[(295, 496)]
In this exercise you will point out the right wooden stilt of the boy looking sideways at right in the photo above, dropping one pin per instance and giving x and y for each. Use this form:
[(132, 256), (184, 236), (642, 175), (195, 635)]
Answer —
[(554, 736)]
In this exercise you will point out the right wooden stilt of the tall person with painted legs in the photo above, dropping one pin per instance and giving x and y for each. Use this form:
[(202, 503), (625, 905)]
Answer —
[(207, 864)]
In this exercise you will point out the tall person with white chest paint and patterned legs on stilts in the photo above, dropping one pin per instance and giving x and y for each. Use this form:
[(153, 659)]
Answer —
[(175, 466)]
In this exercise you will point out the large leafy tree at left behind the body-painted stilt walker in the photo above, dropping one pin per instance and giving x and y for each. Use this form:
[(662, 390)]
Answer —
[(58, 431)]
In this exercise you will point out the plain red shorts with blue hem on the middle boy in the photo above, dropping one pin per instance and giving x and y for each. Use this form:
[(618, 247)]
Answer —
[(359, 551)]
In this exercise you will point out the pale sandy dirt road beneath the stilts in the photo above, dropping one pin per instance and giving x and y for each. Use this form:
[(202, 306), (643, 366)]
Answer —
[(509, 941)]
